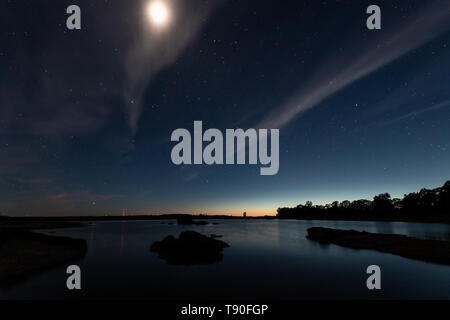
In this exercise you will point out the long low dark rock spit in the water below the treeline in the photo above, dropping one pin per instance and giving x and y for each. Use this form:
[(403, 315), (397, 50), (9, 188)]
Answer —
[(425, 250)]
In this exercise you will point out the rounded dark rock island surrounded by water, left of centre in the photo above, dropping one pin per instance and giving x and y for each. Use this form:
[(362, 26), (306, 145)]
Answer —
[(190, 248)]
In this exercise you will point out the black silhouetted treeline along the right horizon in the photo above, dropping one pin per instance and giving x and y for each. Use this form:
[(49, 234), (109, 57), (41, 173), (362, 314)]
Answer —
[(415, 205)]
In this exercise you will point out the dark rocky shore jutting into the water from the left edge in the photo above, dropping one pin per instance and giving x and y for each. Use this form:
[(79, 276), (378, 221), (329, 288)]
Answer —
[(24, 253)]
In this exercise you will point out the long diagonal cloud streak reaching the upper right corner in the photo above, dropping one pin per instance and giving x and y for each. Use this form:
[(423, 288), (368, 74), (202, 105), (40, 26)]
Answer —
[(339, 72)]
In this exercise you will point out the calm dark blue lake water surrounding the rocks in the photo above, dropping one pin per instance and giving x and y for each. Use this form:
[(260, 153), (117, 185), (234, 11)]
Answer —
[(266, 260)]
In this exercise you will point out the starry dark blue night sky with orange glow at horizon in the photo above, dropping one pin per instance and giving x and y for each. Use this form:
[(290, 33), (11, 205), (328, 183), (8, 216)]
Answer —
[(86, 115)]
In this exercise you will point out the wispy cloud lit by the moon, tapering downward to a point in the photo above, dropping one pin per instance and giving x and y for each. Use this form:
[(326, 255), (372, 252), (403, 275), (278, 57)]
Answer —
[(157, 49)]
